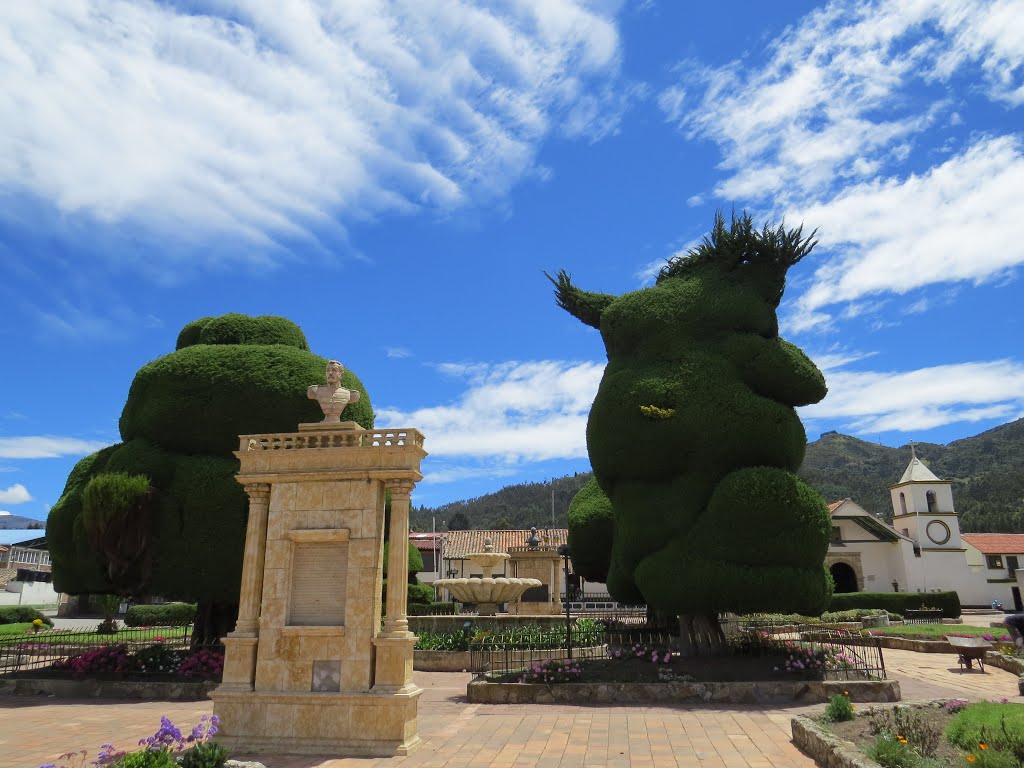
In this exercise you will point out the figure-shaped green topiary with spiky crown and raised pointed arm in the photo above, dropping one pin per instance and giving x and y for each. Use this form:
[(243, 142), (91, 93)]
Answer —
[(695, 441)]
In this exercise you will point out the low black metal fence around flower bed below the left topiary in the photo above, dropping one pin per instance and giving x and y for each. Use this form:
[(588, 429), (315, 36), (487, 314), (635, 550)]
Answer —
[(137, 651)]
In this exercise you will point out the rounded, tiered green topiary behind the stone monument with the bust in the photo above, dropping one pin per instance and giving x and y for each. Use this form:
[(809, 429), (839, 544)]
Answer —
[(161, 514)]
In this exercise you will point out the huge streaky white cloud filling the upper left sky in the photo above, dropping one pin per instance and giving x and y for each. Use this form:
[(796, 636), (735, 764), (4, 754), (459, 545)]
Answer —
[(263, 121)]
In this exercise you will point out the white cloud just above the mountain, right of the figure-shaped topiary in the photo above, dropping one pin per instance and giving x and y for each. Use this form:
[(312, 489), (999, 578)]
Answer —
[(870, 402)]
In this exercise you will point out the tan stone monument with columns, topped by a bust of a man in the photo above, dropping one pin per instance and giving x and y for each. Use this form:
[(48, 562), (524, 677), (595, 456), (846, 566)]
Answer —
[(308, 669)]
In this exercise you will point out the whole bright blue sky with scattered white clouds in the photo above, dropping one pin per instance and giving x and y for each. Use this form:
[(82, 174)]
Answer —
[(397, 177)]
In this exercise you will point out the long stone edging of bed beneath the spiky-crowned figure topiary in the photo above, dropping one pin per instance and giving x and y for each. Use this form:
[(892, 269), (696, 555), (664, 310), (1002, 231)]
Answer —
[(808, 692)]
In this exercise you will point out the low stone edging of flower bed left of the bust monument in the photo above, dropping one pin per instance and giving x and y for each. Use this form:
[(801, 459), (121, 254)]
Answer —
[(133, 690)]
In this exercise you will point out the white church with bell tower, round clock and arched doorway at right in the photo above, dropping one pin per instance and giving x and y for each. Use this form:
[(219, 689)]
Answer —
[(923, 550)]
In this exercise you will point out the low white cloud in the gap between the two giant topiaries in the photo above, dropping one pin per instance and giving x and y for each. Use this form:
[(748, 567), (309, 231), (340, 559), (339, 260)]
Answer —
[(513, 412)]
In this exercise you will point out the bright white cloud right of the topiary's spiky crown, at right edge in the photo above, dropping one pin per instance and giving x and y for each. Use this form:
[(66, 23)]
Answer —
[(958, 223)]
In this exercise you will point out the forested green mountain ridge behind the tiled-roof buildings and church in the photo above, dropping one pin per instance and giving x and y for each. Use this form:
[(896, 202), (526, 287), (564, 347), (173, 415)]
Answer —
[(987, 472)]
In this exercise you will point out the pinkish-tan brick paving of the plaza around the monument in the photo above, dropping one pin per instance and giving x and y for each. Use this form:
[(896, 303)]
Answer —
[(458, 735)]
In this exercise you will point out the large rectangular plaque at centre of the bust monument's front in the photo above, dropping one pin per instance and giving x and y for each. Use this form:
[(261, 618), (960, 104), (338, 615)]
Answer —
[(319, 575)]
